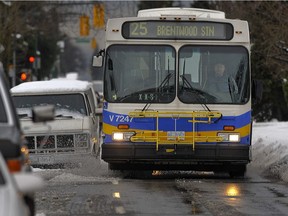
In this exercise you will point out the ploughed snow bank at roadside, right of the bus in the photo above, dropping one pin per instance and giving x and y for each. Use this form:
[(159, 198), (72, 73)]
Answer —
[(270, 149)]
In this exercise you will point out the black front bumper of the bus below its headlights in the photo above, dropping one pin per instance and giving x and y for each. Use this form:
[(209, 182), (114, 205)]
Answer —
[(204, 157)]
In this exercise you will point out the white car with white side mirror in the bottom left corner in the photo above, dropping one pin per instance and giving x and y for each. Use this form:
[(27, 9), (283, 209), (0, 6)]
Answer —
[(12, 190)]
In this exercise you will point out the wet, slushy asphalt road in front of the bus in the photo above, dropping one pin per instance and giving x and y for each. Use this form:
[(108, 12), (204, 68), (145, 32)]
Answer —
[(93, 190)]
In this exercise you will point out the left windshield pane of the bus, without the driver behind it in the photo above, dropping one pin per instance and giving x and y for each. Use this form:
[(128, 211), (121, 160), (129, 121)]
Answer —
[(140, 74)]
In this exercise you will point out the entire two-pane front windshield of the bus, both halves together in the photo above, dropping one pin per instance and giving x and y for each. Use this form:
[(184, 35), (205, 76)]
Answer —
[(206, 74)]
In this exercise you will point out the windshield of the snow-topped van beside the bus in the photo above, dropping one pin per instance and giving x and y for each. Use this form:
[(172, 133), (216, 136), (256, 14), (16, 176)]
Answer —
[(65, 104)]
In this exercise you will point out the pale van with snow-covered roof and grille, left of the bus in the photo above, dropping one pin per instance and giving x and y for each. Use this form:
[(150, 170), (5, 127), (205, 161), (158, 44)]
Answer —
[(74, 132)]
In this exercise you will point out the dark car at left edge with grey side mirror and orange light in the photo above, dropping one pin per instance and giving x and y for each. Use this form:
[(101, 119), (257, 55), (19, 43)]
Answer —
[(12, 141)]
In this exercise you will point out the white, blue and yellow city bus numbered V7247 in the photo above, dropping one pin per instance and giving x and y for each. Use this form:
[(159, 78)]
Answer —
[(161, 109)]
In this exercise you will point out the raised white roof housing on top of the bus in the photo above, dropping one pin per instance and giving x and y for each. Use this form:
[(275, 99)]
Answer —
[(195, 12)]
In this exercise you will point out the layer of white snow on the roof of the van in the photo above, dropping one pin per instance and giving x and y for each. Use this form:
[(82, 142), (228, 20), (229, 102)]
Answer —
[(51, 86)]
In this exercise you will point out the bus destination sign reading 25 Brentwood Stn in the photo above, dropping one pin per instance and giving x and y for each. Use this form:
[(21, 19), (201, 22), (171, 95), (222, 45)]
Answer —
[(177, 30)]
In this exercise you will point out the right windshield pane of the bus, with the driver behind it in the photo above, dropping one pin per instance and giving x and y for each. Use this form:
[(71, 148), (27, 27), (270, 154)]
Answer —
[(213, 74)]
